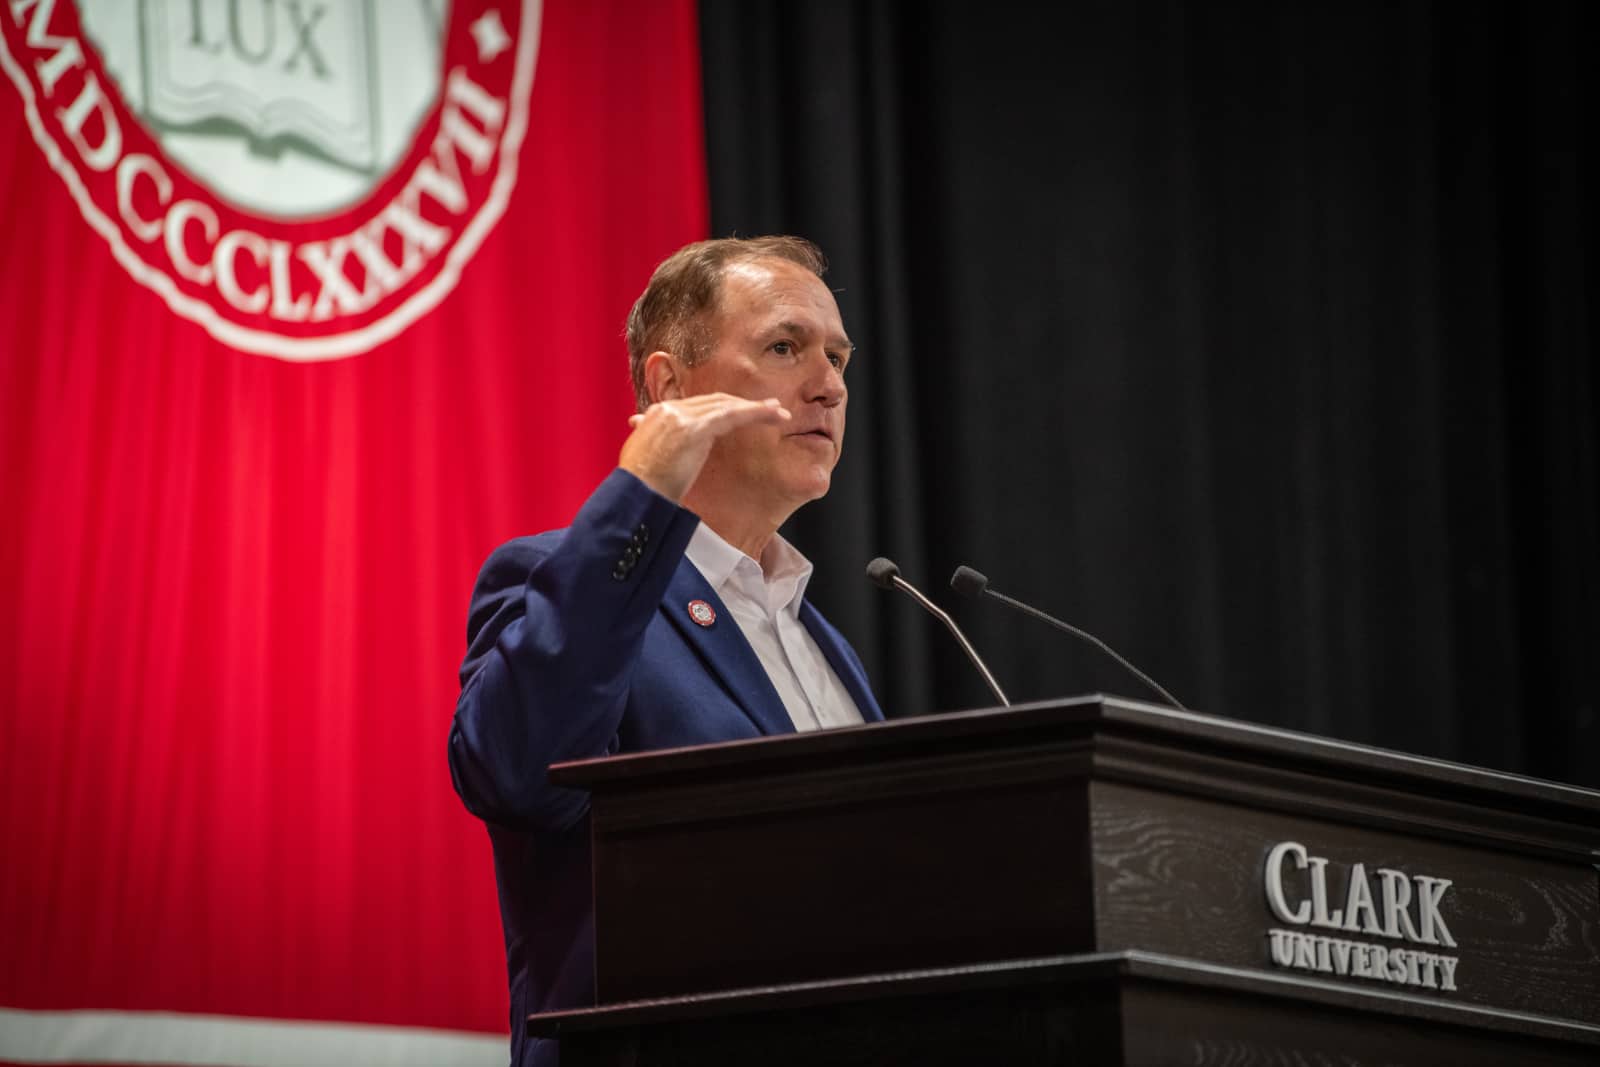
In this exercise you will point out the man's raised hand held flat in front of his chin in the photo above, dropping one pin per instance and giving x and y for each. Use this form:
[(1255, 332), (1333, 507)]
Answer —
[(673, 439)]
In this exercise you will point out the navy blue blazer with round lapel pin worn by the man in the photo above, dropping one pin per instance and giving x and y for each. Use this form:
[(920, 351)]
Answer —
[(580, 644)]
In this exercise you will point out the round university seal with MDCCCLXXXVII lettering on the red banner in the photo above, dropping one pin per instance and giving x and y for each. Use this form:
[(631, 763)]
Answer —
[(303, 178)]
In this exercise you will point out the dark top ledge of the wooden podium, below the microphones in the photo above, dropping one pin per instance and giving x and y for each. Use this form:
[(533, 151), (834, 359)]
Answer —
[(1089, 722)]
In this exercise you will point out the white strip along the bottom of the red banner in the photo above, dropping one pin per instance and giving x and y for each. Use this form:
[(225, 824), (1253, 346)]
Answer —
[(159, 1037)]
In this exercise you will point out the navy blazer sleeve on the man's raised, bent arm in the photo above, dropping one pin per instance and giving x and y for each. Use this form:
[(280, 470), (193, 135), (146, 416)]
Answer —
[(554, 631)]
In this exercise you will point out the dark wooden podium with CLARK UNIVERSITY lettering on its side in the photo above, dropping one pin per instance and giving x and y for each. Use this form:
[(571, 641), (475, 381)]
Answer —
[(1084, 882)]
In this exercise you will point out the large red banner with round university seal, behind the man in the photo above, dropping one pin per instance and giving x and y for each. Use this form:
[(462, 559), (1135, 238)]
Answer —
[(305, 311)]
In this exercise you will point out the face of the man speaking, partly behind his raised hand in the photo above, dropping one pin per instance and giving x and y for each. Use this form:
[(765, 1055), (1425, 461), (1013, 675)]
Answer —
[(775, 334)]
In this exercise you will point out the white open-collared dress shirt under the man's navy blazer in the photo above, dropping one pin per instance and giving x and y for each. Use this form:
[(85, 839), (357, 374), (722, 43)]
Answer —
[(766, 604)]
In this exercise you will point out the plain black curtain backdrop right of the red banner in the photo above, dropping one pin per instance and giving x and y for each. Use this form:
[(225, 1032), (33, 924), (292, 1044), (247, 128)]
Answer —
[(1257, 340)]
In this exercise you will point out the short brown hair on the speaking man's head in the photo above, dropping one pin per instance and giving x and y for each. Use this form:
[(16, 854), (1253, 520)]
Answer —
[(671, 314)]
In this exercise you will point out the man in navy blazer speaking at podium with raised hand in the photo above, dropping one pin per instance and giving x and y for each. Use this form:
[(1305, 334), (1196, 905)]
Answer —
[(671, 612)]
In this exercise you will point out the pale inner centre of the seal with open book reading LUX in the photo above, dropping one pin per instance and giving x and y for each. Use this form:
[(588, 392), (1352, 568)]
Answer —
[(290, 108)]
